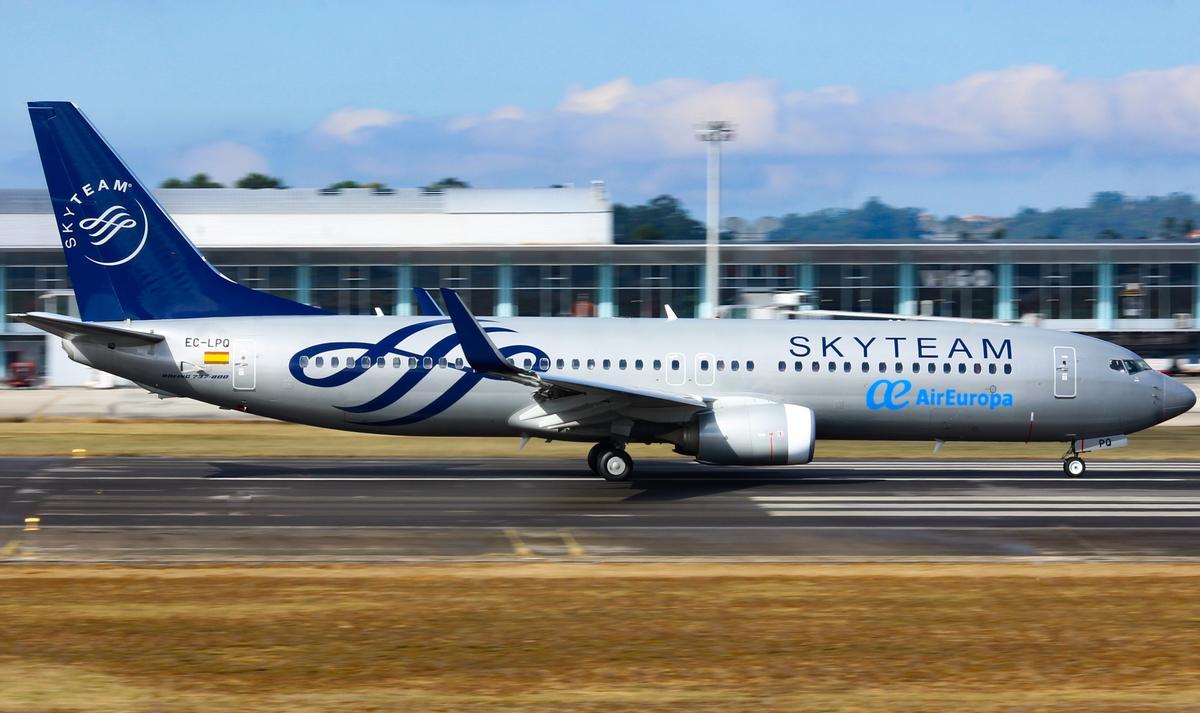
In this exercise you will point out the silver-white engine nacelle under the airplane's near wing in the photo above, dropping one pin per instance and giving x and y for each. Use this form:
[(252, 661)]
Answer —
[(752, 435)]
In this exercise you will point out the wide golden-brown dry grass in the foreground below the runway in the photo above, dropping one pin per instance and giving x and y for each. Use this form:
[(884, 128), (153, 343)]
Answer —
[(602, 638)]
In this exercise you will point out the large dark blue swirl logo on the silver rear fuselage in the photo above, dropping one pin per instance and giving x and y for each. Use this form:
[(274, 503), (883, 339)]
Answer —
[(367, 356)]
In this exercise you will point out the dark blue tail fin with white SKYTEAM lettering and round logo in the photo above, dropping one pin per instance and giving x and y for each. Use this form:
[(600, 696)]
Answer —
[(127, 257)]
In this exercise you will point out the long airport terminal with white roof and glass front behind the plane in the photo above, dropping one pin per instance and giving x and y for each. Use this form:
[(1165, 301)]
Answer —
[(553, 253)]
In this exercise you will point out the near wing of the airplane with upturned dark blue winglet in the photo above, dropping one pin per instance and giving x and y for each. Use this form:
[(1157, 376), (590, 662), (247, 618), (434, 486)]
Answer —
[(484, 357)]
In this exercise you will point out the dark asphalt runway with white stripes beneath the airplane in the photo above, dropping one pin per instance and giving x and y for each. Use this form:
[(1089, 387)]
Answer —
[(185, 511)]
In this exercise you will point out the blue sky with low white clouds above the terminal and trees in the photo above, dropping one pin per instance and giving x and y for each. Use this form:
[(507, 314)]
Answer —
[(955, 107)]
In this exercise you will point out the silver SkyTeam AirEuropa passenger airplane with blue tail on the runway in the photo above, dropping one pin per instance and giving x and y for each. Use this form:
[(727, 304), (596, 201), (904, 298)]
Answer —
[(725, 392)]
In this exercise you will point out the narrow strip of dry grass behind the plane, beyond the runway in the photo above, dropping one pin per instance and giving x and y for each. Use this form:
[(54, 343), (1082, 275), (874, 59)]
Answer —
[(271, 439)]
